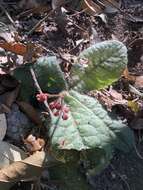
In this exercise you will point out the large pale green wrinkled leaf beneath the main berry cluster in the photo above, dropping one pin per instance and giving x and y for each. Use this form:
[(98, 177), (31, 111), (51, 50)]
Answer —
[(89, 126)]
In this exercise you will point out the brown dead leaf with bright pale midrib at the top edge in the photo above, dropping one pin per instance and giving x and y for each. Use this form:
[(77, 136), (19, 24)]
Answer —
[(91, 7)]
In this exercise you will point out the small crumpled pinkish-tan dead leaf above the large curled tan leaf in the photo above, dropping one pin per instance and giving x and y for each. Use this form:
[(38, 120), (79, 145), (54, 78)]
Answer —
[(34, 144)]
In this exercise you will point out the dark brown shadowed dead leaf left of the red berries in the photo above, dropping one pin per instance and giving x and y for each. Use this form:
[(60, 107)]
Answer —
[(30, 112)]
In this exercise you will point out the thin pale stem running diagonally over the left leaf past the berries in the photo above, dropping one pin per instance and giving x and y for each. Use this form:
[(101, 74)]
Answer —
[(36, 84)]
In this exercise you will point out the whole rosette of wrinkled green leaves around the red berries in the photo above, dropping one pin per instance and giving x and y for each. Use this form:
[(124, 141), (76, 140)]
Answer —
[(90, 135)]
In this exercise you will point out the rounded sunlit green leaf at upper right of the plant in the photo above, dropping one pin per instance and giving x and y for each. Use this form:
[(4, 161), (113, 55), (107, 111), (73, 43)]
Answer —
[(100, 65)]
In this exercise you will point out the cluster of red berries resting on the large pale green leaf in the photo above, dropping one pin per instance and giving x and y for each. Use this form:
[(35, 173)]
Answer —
[(58, 109)]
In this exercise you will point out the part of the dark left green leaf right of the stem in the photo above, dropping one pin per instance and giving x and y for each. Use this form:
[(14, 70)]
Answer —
[(49, 75)]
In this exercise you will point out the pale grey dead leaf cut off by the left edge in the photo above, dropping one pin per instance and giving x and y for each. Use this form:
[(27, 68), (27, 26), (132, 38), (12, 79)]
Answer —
[(3, 126)]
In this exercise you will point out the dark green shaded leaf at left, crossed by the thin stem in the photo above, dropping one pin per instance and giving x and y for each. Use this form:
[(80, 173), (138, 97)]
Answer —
[(48, 73)]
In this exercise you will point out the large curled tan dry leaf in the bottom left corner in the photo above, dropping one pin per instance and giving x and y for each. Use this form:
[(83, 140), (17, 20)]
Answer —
[(27, 169)]
